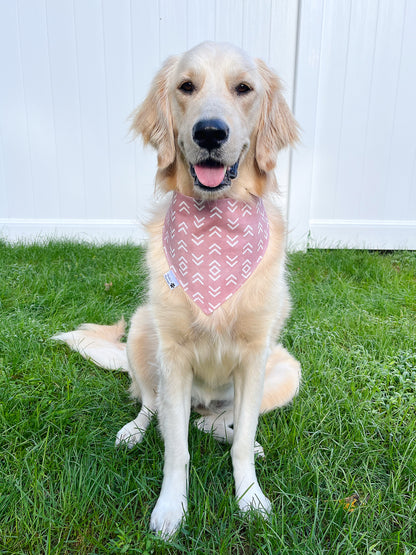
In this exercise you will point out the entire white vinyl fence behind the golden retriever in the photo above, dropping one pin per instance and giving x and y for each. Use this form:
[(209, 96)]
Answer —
[(73, 70)]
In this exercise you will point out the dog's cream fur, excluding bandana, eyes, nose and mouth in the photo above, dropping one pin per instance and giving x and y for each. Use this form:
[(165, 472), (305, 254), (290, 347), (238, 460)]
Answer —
[(226, 365)]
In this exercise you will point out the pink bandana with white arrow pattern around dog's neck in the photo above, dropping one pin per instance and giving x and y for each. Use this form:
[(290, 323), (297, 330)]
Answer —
[(213, 247)]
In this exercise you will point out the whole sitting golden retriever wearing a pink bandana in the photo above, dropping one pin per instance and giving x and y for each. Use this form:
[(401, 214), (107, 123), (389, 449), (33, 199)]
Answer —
[(217, 297)]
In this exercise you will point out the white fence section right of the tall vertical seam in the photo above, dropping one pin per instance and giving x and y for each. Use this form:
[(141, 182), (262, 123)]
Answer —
[(355, 84)]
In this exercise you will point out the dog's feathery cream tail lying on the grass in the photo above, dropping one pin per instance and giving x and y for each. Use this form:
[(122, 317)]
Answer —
[(101, 344)]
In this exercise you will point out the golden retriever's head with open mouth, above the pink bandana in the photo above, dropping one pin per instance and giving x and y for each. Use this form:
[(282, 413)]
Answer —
[(217, 119)]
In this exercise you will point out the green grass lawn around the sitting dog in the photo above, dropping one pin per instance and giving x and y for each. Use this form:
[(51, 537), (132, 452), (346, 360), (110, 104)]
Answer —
[(64, 488)]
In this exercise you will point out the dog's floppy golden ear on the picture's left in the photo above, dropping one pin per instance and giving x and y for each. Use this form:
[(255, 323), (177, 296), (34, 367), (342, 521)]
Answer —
[(153, 118)]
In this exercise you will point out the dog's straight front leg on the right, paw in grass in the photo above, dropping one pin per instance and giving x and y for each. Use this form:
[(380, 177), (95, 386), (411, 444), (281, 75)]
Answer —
[(248, 390)]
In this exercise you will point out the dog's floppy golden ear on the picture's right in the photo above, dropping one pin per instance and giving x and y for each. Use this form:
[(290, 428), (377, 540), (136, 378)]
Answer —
[(277, 127)]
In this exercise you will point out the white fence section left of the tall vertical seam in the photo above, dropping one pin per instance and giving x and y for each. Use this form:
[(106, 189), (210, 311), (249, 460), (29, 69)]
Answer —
[(72, 72)]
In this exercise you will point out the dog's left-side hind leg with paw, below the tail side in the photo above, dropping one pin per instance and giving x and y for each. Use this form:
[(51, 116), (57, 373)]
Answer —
[(141, 352)]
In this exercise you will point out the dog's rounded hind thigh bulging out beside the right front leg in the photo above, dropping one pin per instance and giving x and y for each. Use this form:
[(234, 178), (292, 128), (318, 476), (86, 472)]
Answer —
[(281, 380)]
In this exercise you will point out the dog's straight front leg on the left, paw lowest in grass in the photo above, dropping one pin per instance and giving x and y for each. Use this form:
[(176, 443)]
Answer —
[(174, 408)]
